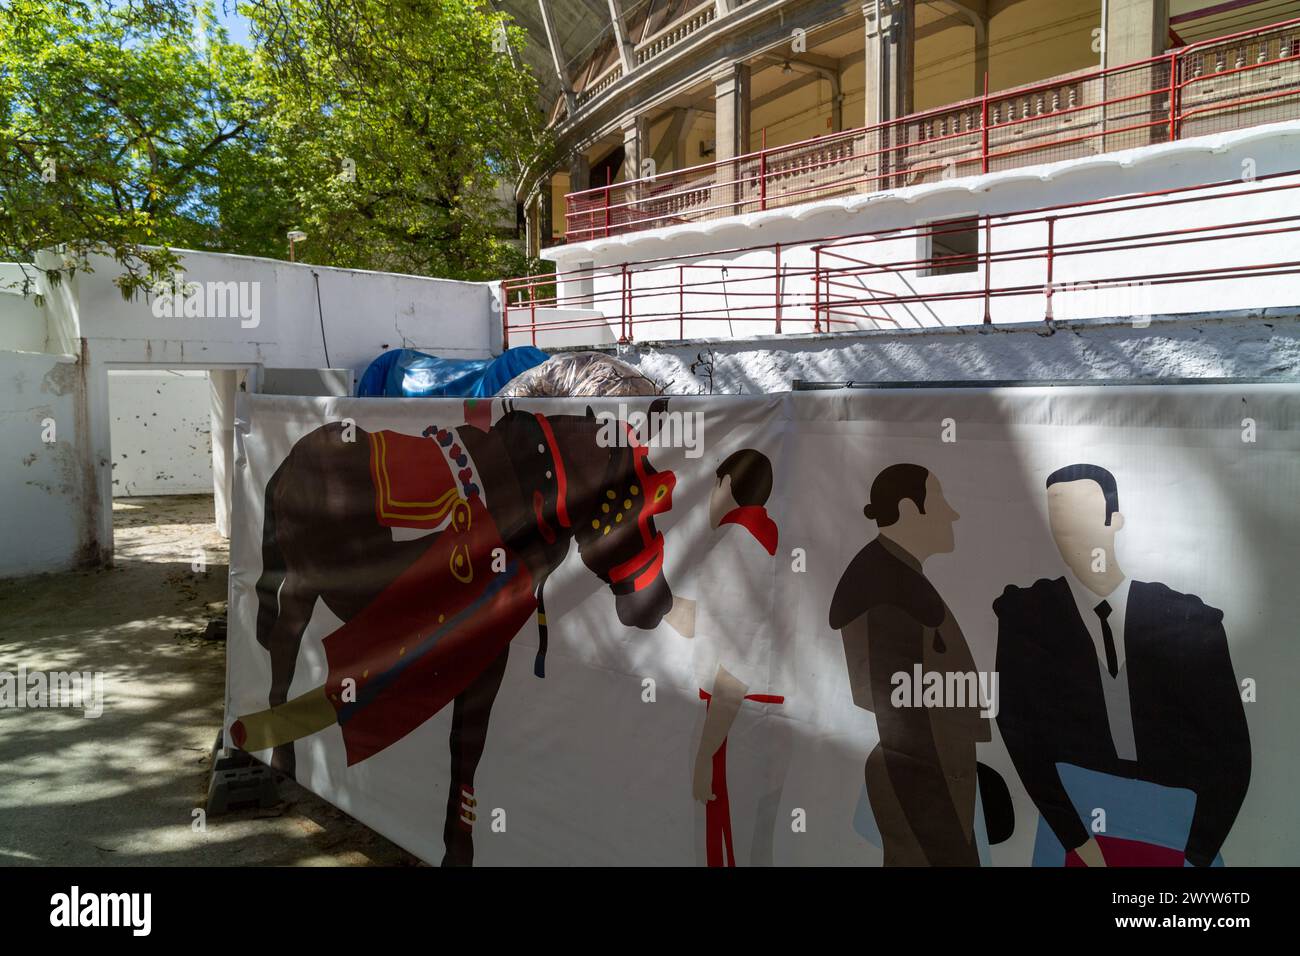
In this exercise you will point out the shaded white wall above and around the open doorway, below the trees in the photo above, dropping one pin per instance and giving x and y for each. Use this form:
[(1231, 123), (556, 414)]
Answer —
[(362, 314)]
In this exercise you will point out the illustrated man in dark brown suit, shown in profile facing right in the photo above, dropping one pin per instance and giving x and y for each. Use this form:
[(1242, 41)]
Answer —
[(922, 776)]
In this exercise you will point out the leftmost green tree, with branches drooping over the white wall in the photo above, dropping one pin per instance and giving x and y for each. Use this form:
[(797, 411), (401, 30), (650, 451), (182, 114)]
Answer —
[(119, 126)]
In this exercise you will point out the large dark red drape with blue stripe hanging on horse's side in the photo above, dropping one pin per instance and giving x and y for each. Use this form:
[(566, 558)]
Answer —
[(409, 665)]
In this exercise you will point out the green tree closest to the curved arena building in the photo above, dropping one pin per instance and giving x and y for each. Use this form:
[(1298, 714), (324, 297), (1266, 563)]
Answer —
[(396, 122)]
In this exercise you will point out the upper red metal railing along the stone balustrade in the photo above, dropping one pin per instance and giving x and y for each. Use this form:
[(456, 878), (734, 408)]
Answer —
[(1229, 83)]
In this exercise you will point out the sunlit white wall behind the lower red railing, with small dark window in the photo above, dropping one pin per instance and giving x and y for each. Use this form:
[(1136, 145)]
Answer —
[(1264, 150)]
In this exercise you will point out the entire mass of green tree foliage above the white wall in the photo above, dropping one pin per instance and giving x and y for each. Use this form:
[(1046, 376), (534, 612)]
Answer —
[(380, 128)]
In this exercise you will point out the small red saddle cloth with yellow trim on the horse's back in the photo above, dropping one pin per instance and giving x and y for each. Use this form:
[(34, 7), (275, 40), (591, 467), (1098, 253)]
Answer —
[(414, 487)]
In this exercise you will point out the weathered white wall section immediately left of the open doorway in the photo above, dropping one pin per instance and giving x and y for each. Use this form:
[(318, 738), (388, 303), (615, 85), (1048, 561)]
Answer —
[(47, 490)]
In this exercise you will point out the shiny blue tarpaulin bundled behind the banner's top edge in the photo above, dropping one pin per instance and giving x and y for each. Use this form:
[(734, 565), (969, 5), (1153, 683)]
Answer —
[(410, 374)]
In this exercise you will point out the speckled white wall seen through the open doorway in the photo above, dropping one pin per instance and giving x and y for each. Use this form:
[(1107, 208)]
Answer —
[(162, 432)]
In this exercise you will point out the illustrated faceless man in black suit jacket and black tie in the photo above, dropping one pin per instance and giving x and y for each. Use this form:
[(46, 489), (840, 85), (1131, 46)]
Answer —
[(1119, 677)]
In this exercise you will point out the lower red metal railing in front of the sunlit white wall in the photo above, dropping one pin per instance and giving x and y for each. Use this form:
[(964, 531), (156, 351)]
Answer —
[(870, 280)]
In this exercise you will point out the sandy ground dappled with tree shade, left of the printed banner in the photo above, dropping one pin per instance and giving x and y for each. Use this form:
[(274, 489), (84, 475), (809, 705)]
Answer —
[(123, 789)]
